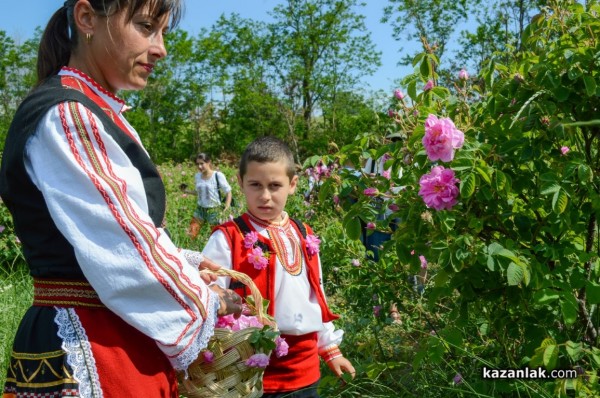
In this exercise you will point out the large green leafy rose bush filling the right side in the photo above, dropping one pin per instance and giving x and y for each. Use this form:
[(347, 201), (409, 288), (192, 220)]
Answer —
[(513, 273)]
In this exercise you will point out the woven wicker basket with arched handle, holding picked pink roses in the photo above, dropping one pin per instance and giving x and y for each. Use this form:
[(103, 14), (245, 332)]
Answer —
[(227, 375)]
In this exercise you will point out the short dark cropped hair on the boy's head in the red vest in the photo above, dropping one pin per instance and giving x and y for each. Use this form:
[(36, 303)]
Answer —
[(266, 150)]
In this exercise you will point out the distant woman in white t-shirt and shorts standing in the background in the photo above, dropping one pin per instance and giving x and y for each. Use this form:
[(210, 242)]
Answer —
[(209, 184)]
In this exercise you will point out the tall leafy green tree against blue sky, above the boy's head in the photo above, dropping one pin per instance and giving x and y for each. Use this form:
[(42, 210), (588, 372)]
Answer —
[(318, 48)]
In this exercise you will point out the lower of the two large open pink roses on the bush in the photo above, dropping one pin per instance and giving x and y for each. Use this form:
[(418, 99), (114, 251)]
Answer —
[(439, 189)]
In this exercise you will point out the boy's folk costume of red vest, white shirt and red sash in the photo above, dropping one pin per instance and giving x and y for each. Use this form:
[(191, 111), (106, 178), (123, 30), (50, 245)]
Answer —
[(292, 282)]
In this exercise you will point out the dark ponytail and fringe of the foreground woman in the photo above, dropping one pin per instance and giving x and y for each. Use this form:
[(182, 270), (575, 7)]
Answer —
[(60, 36)]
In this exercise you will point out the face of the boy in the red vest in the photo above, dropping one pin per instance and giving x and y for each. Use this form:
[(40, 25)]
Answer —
[(266, 187)]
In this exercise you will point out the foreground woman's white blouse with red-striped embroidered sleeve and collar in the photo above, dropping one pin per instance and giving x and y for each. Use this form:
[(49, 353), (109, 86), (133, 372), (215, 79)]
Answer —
[(97, 200)]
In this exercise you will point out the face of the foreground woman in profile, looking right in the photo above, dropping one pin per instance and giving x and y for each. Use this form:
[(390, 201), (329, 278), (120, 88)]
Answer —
[(123, 53)]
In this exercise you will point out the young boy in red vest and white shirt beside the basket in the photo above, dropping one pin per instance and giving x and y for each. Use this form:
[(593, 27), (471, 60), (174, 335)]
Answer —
[(281, 257)]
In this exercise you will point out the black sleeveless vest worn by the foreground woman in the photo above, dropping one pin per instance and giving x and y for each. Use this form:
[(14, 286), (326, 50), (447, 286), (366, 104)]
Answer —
[(47, 252)]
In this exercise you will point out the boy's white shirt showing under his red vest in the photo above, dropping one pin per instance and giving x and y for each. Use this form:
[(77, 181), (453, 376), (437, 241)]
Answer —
[(297, 310)]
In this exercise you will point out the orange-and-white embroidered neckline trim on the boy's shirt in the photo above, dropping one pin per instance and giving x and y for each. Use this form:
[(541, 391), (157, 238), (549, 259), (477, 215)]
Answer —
[(277, 232)]
